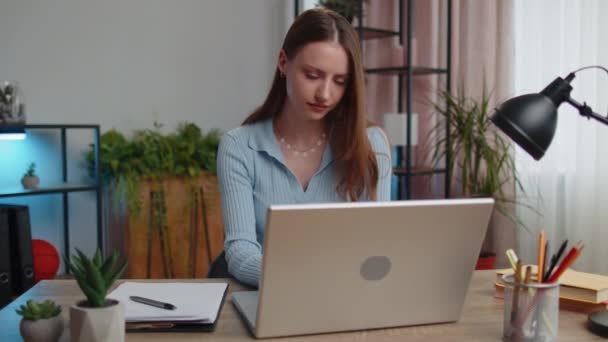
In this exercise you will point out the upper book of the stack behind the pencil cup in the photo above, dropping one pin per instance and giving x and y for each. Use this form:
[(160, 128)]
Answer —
[(576, 285)]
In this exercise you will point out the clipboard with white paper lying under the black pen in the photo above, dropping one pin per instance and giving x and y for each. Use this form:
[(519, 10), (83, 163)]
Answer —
[(197, 305)]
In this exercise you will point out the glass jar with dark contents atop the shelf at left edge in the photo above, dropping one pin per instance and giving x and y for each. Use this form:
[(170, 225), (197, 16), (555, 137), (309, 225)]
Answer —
[(12, 111)]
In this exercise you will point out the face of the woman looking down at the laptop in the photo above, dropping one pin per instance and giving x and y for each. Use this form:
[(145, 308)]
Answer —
[(316, 78)]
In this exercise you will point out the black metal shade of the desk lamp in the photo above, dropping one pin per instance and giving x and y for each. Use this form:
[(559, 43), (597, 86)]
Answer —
[(530, 121)]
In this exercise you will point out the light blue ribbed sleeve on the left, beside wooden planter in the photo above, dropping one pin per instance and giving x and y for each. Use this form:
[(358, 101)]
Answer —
[(243, 252)]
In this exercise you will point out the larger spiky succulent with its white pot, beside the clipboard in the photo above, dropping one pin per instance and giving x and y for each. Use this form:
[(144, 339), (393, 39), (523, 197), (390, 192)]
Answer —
[(96, 319)]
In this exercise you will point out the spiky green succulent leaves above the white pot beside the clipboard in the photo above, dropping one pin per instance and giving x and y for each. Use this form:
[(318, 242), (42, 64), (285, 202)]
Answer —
[(95, 275)]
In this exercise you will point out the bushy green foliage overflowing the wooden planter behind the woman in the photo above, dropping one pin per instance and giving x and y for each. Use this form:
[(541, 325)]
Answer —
[(149, 154)]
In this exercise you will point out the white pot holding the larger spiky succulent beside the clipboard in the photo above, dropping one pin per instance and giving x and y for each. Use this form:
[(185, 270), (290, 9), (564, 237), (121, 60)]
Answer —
[(105, 324)]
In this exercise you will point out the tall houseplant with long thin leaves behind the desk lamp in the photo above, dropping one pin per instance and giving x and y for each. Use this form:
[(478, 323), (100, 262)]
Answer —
[(480, 158)]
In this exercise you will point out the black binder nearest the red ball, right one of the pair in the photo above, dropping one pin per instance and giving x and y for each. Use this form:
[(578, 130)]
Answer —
[(21, 258)]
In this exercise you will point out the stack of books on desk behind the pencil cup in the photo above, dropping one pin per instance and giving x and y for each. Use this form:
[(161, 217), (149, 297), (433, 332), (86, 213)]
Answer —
[(578, 291)]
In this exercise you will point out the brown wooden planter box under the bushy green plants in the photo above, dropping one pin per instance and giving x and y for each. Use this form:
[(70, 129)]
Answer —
[(194, 229)]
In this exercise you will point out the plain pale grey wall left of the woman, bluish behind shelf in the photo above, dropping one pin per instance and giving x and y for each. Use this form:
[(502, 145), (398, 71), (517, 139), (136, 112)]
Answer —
[(126, 64)]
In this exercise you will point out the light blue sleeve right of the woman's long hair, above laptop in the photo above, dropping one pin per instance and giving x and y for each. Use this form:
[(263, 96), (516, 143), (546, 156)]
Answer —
[(382, 148)]
